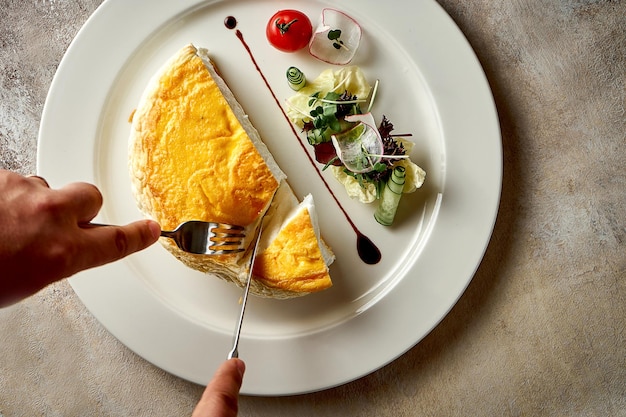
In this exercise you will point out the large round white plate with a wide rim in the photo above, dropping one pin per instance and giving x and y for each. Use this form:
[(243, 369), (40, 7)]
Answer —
[(431, 85)]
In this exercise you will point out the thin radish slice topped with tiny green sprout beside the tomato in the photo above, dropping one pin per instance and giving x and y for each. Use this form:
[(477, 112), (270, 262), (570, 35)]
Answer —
[(336, 39)]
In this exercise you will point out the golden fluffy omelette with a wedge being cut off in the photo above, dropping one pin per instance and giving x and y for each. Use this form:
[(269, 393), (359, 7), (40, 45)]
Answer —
[(194, 155)]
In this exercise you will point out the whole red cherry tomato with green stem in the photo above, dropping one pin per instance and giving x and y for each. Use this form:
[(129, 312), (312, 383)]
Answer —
[(289, 30)]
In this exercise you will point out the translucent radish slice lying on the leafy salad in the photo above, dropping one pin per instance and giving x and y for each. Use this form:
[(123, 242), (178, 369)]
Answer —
[(361, 147)]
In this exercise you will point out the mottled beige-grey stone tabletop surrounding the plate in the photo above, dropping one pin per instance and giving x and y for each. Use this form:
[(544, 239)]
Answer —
[(541, 329)]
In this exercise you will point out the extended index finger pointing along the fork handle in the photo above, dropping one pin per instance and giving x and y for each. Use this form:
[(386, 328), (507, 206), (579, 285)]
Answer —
[(110, 243)]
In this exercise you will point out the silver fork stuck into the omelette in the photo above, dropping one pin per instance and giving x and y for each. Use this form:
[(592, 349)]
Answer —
[(203, 238)]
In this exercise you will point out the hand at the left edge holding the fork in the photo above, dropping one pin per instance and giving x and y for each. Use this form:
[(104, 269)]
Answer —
[(42, 240)]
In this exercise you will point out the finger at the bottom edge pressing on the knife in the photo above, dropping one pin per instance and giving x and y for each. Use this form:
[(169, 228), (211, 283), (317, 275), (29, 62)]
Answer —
[(221, 396)]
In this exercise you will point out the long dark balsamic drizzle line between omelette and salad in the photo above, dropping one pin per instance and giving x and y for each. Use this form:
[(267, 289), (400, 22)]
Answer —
[(367, 250)]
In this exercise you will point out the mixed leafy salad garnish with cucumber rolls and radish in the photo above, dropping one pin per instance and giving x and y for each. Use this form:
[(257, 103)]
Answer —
[(362, 155)]
